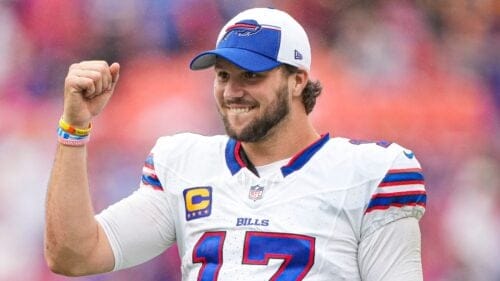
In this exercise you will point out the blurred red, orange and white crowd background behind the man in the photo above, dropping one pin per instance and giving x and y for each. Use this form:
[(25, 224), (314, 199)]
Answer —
[(425, 74)]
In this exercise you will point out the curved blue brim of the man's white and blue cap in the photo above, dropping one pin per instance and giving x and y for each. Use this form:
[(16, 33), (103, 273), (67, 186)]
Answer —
[(242, 58)]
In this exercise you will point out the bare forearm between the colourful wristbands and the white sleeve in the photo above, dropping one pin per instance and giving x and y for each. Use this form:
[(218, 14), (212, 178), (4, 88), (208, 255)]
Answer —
[(72, 235)]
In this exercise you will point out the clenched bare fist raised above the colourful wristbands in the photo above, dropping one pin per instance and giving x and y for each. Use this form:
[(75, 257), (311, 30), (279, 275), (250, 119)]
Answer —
[(87, 89)]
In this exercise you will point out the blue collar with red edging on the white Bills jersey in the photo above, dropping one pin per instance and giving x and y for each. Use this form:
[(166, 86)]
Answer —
[(235, 156)]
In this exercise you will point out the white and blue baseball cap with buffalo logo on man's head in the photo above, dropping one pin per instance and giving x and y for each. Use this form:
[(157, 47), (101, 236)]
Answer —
[(259, 39)]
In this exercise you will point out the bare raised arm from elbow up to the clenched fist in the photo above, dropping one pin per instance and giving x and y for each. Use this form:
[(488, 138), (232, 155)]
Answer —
[(75, 244)]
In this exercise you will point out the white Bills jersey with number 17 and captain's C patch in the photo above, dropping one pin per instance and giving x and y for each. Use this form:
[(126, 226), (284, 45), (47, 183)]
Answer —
[(303, 222)]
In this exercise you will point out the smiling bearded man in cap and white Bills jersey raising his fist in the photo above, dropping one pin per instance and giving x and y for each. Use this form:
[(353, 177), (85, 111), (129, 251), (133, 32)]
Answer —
[(272, 200)]
